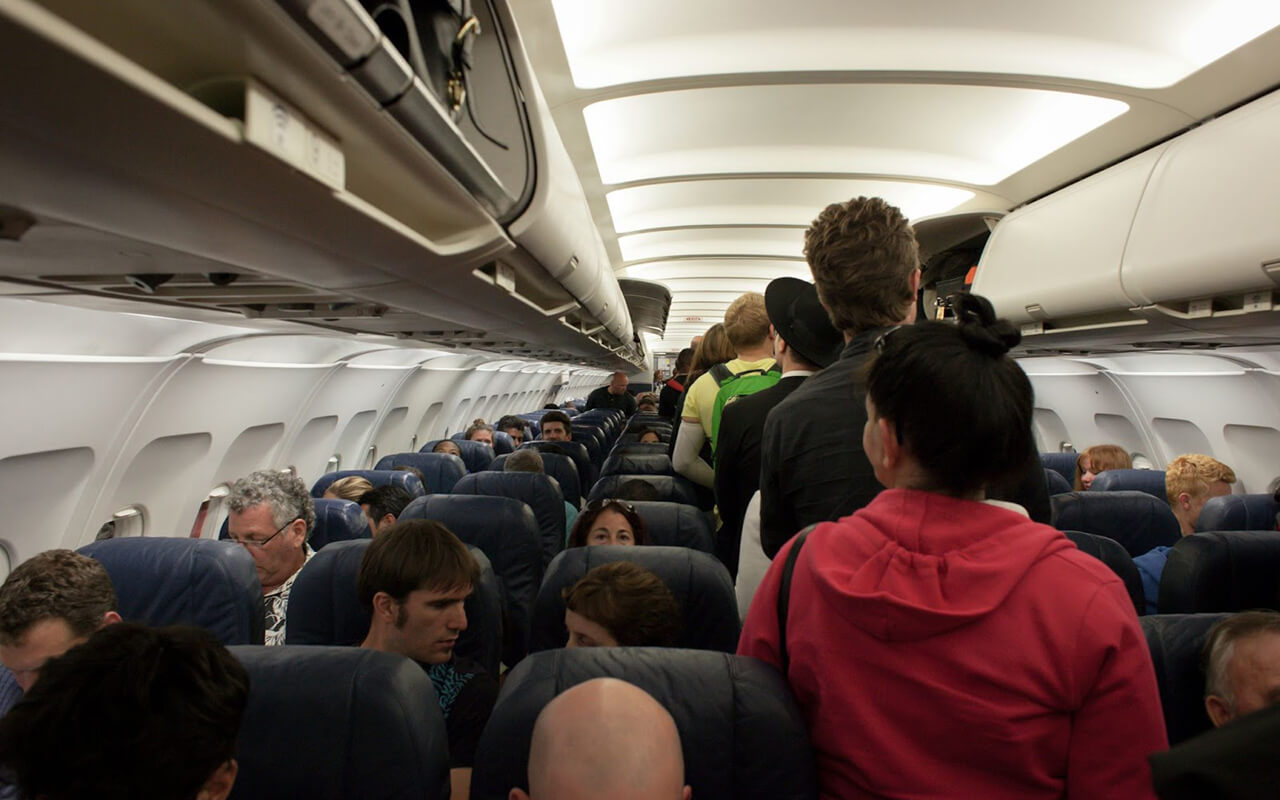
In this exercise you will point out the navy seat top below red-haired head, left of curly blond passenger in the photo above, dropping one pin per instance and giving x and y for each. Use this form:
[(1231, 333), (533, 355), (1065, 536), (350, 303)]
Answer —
[(1135, 519)]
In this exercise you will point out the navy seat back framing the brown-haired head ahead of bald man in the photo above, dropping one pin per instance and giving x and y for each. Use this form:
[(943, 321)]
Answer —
[(701, 583)]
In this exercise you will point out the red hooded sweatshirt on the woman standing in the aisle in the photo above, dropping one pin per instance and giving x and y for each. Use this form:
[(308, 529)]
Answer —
[(945, 648)]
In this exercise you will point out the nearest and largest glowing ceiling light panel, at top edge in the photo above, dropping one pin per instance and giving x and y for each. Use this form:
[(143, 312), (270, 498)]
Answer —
[(1146, 44)]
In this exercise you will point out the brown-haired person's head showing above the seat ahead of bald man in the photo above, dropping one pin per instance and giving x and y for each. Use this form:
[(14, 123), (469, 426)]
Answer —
[(621, 605)]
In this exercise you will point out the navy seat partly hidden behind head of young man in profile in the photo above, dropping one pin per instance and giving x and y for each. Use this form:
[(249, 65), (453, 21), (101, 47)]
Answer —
[(324, 607)]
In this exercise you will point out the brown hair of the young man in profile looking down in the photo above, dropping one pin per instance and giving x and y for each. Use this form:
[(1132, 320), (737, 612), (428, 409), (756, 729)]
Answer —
[(415, 555)]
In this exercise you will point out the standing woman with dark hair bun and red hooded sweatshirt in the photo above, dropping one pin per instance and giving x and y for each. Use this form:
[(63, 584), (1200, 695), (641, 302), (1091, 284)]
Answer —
[(941, 644)]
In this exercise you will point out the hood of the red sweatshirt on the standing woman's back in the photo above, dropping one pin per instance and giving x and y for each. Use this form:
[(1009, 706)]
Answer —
[(915, 565)]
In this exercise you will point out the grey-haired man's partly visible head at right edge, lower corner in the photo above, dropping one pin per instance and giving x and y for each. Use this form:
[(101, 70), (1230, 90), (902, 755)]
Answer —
[(1242, 666)]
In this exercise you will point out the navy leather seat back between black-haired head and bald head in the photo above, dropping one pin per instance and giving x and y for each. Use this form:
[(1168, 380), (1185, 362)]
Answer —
[(331, 724)]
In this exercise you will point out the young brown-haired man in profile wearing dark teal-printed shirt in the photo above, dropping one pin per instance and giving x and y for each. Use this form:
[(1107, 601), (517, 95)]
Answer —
[(414, 578)]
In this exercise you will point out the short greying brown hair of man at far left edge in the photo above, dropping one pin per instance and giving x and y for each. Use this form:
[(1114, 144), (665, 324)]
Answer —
[(56, 586)]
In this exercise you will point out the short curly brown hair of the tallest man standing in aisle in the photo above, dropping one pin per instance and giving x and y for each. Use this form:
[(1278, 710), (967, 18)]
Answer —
[(862, 254)]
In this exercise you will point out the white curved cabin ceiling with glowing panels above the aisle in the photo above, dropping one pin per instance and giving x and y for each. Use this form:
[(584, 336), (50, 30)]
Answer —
[(710, 134)]
